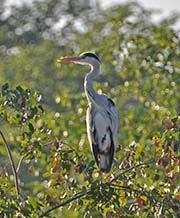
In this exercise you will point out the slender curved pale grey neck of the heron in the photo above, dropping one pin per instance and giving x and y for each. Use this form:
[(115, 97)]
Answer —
[(91, 94)]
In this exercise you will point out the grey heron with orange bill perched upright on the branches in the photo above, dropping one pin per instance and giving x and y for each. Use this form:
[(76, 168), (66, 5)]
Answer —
[(101, 116)]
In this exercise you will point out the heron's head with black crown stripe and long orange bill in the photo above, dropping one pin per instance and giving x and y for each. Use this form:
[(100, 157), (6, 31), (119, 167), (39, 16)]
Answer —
[(85, 58)]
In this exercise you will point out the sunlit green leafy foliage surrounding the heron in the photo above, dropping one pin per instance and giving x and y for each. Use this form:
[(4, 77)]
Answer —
[(42, 112)]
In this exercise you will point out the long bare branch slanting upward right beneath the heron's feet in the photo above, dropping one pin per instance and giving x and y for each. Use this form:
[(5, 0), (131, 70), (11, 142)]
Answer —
[(83, 193)]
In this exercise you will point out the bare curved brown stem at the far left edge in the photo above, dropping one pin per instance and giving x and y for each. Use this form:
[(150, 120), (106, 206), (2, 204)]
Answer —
[(12, 165)]
